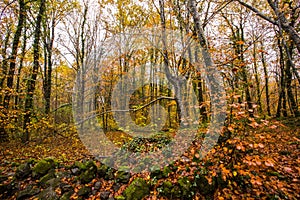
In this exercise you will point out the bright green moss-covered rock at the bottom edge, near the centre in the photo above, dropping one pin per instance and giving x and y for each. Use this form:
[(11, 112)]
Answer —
[(137, 190)]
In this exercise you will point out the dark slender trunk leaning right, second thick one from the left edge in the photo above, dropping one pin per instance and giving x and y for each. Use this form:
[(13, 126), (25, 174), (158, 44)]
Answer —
[(31, 83)]
